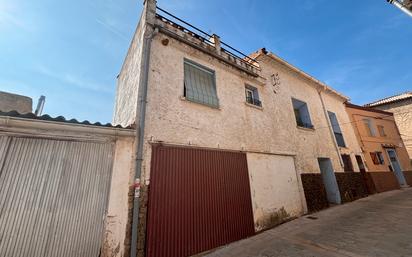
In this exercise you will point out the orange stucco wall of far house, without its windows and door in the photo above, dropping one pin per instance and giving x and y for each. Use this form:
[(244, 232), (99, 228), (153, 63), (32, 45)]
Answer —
[(378, 142)]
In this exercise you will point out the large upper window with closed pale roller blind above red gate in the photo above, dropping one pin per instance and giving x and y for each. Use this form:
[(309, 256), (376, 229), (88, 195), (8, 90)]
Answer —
[(200, 84)]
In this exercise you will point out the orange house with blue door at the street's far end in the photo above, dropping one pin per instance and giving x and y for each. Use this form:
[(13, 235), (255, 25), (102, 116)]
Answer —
[(381, 143)]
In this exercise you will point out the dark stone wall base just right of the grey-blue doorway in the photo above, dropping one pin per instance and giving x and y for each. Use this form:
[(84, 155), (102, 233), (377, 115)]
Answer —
[(351, 186)]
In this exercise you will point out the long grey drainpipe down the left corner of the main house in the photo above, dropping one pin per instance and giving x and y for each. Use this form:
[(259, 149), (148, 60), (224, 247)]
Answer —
[(149, 12)]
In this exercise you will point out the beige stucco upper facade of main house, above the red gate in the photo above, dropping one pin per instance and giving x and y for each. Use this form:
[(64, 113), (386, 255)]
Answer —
[(236, 125)]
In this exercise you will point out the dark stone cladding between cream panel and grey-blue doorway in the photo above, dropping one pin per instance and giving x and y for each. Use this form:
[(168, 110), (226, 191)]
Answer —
[(315, 192)]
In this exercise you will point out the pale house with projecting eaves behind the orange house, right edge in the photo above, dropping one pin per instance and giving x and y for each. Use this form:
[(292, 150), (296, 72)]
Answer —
[(401, 106)]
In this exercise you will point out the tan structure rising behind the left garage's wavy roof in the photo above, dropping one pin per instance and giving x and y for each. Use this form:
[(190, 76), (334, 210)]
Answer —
[(13, 102)]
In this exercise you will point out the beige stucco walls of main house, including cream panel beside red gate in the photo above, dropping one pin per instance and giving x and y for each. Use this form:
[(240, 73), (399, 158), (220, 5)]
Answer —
[(270, 130)]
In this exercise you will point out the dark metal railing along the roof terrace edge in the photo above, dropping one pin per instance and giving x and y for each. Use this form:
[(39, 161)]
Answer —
[(206, 37)]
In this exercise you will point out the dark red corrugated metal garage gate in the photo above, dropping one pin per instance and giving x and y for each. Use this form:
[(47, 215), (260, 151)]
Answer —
[(198, 200)]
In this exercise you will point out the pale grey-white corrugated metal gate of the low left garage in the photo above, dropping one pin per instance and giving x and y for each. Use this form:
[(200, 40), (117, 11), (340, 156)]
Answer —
[(53, 196)]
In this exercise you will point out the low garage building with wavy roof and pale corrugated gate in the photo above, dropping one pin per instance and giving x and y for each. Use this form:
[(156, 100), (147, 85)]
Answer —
[(64, 186)]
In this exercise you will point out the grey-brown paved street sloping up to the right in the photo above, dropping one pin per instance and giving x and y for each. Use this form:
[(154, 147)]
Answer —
[(380, 225)]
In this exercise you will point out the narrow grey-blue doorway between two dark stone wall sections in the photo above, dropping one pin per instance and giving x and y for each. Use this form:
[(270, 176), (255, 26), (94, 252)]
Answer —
[(329, 180)]
